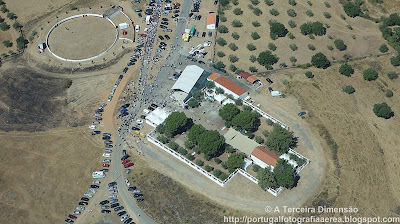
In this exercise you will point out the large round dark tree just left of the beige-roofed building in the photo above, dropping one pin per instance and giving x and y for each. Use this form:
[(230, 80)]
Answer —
[(210, 142)]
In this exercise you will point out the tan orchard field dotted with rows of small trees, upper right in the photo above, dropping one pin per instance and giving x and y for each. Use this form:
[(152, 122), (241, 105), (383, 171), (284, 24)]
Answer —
[(360, 36)]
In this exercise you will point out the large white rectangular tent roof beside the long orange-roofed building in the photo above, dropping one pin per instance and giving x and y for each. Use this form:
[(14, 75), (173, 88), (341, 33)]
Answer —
[(188, 78)]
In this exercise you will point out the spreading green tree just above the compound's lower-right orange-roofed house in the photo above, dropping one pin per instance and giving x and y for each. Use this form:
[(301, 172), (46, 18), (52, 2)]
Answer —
[(280, 139)]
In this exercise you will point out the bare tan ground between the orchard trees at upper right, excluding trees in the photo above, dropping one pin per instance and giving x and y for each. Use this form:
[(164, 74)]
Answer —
[(364, 38)]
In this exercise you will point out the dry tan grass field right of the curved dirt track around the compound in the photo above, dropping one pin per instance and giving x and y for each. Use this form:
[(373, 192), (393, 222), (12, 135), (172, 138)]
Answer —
[(367, 152)]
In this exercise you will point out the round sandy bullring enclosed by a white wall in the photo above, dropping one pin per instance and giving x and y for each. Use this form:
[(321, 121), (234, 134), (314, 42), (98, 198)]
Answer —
[(81, 37)]
